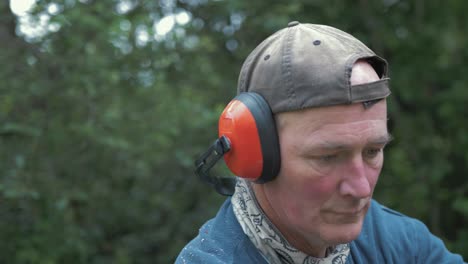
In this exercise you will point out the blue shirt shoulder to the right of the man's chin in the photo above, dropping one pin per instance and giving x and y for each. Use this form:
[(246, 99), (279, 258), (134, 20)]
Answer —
[(389, 236)]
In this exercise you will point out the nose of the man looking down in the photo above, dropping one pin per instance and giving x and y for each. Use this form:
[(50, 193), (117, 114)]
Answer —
[(355, 182)]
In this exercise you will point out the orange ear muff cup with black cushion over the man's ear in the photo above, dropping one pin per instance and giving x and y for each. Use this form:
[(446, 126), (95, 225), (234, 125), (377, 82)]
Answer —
[(248, 123)]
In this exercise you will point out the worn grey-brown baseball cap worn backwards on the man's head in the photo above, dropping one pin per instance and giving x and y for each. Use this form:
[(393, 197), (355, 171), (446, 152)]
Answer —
[(307, 65)]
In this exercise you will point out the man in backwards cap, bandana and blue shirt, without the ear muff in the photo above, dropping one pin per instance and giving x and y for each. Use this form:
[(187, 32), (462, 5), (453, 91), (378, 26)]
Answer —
[(327, 92)]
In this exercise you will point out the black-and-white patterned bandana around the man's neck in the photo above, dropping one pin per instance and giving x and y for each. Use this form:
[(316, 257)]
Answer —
[(268, 239)]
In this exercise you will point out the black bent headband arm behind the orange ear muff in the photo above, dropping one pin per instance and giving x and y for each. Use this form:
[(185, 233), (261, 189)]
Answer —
[(208, 159)]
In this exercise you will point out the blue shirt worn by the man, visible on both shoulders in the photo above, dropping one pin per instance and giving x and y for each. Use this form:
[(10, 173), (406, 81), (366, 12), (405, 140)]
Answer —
[(386, 237)]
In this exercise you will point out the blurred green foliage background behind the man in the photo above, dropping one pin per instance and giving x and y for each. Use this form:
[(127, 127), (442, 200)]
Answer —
[(105, 104)]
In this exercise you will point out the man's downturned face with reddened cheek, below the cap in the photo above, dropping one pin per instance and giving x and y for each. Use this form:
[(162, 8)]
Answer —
[(331, 158)]
